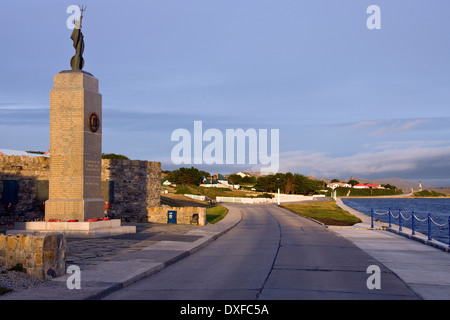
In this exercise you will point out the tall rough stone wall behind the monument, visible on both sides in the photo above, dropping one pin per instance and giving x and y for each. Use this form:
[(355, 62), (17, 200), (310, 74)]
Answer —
[(129, 185)]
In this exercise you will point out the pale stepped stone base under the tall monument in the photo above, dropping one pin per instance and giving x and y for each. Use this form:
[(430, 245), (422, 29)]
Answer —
[(85, 229)]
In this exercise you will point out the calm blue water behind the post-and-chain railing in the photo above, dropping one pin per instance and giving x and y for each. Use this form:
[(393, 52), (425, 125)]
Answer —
[(439, 209)]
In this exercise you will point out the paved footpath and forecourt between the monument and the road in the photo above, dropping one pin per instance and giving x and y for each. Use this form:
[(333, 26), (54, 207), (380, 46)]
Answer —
[(108, 264)]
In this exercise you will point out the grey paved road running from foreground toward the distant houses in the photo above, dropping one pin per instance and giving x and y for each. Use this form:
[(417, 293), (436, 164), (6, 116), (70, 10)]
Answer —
[(271, 254)]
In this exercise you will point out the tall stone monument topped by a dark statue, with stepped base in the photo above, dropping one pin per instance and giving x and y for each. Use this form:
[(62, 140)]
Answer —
[(75, 204)]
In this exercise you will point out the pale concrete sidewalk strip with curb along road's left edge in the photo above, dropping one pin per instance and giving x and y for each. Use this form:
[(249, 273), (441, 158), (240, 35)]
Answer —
[(110, 276)]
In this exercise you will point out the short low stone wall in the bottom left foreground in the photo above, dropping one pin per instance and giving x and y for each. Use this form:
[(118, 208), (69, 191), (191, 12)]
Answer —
[(43, 257)]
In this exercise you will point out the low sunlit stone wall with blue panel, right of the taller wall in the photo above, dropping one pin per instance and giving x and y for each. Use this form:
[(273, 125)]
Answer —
[(184, 214)]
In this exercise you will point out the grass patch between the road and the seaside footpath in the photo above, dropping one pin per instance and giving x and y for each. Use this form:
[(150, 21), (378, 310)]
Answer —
[(326, 212)]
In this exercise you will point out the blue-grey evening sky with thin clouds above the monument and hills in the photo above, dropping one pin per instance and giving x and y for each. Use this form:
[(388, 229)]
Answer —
[(346, 100)]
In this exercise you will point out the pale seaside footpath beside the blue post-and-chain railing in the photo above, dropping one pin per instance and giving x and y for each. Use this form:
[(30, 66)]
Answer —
[(423, 265)]
